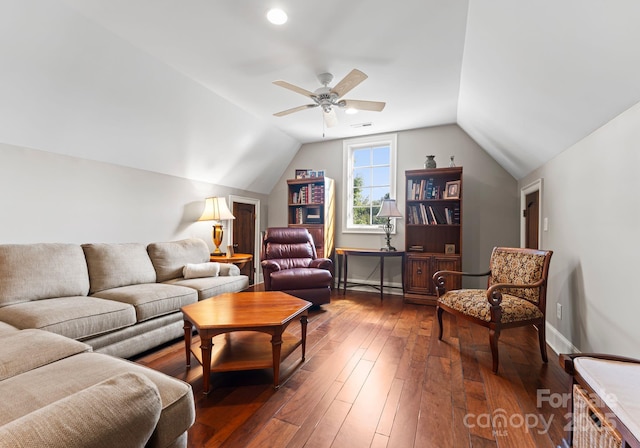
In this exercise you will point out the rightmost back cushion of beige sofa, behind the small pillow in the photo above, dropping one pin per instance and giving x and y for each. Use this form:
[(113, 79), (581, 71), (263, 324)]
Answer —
[(169, 258)]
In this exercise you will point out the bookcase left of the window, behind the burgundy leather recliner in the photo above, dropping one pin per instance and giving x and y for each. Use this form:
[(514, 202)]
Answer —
[(311, 204)]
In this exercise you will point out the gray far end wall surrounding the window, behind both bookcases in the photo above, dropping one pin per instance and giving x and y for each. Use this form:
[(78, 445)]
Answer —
[(490, 208)]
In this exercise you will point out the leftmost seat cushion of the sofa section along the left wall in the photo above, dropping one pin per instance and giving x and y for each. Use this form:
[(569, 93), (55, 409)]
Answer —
[(74, 317)]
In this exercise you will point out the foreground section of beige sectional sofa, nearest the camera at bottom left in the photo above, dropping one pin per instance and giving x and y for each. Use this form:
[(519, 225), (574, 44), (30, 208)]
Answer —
[(57, 393)]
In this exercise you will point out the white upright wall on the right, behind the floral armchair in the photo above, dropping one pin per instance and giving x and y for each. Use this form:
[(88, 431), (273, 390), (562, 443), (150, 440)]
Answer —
[(591, 200)]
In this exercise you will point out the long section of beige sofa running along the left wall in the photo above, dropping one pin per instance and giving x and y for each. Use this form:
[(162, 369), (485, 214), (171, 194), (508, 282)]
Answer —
[(121, 299)]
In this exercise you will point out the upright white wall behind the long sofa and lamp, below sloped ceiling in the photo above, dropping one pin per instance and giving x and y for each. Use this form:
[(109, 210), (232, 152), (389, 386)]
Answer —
[(47, 197)]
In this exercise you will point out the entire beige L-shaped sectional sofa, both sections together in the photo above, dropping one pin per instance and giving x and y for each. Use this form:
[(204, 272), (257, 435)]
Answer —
[(66, 310)]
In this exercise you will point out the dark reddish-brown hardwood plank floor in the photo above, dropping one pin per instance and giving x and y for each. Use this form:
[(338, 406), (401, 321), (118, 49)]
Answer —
[(377, 376)]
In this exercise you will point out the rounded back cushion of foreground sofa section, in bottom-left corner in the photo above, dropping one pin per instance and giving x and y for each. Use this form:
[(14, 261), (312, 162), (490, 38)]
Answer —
[(121, 411)]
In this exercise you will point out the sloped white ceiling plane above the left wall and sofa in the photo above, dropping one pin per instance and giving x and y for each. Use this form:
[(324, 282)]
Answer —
[(71, 87)]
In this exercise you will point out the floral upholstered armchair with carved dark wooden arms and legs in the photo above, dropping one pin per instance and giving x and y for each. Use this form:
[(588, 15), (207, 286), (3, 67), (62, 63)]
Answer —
[(516, 295)]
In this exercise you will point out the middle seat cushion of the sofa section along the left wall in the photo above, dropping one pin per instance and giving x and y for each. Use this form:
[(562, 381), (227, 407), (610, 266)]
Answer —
[(151, 299)]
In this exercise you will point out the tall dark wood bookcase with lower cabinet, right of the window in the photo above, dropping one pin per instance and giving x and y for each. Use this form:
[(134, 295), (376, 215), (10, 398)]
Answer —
[(433, 230)]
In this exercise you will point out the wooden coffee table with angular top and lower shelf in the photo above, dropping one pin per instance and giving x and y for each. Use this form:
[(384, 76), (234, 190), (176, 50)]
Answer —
[(245, 319)]
